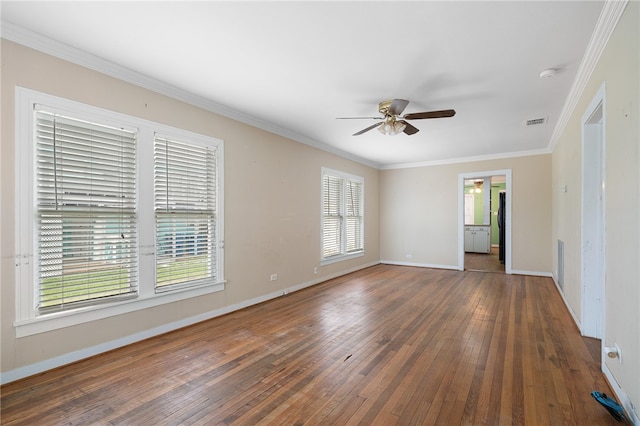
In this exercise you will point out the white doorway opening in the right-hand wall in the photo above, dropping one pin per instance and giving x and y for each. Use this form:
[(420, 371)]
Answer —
[(593, 218)]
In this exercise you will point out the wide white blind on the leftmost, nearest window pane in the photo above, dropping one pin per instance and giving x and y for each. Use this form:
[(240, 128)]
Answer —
[(86, 215)]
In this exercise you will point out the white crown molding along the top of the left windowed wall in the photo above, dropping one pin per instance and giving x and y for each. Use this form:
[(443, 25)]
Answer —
[(71, 54)]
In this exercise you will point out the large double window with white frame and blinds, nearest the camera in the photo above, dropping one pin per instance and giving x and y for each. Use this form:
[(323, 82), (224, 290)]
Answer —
[(113, 213)]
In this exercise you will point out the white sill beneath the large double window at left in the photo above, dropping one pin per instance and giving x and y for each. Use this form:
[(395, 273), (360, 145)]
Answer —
[(54, 321)]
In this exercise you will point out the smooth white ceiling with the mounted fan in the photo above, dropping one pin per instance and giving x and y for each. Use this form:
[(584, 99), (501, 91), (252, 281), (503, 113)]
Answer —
[(293, 67)]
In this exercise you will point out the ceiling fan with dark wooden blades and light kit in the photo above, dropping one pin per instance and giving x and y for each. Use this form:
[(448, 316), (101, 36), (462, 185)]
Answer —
[(392, 123)]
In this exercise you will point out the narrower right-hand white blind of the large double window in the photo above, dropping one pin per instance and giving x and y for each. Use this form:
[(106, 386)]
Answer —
[(185, 210)]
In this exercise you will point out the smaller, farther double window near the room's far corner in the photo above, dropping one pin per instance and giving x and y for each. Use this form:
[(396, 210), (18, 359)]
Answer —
[(342, 216)]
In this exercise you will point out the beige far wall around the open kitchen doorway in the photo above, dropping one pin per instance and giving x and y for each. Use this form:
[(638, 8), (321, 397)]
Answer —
[(419, 212)]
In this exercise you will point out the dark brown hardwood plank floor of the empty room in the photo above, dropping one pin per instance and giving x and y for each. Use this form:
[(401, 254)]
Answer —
[(388, 345)]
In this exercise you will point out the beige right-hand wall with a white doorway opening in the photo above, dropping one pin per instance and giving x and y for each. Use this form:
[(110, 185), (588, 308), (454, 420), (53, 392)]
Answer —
[(618, 68)]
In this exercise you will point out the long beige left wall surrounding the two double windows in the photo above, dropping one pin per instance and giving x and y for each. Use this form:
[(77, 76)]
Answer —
[(272, 205)]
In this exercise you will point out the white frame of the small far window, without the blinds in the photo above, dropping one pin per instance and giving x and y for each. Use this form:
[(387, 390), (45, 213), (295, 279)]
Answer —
[(343, 254)]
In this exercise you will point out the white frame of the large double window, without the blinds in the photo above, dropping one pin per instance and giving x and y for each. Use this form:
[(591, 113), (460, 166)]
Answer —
[(28, 320)]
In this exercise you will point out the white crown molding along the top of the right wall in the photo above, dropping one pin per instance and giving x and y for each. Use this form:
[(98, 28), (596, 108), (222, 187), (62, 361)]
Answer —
[(607, 21)]
